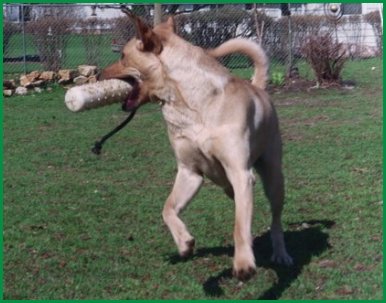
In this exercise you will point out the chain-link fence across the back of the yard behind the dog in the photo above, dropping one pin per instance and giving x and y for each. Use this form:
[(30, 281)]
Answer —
[(52, 37)]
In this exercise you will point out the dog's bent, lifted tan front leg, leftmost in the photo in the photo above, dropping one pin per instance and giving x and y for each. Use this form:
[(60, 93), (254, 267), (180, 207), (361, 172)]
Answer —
[(186, 185)]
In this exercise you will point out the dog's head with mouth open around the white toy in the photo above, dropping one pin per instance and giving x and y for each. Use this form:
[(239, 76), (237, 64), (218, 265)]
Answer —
[(140, 64)]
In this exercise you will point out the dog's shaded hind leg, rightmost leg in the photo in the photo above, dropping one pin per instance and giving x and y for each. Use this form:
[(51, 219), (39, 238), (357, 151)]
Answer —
[(269, 169)]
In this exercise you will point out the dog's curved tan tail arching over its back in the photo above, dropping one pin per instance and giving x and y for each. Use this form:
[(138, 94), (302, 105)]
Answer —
[(250, 49)]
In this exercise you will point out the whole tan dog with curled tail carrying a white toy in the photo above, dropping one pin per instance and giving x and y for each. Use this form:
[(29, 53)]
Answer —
[(219, 126)]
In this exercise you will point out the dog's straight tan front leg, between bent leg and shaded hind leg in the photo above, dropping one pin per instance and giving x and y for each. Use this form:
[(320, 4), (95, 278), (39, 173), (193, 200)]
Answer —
[(244, 261)]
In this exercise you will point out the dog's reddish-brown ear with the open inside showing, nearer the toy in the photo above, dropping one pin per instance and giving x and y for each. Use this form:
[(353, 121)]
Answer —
[(148, 40)]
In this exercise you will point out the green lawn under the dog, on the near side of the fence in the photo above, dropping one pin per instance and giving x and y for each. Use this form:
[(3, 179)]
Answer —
[(78, 226)]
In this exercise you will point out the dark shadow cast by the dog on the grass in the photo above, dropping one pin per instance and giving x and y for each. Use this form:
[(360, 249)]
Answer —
[(303, 243)]
